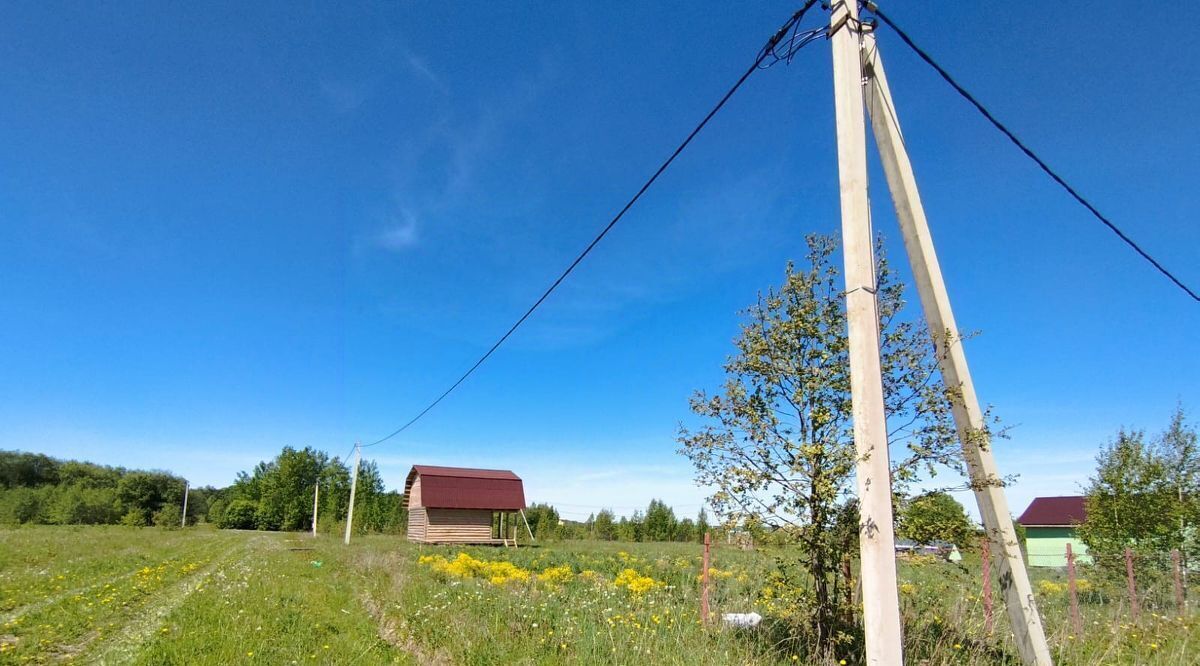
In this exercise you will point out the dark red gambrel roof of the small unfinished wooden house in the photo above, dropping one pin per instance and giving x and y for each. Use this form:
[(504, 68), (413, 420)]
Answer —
[(459, 488)]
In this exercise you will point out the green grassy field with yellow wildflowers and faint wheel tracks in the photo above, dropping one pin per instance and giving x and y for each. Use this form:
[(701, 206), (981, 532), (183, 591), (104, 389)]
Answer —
[(129, 596)]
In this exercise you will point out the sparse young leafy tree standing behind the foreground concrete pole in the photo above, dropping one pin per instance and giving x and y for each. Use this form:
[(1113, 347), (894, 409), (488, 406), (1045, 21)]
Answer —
[(779, 447)]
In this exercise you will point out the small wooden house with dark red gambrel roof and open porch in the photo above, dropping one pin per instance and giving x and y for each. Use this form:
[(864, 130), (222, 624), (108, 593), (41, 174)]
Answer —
[(460, 506)]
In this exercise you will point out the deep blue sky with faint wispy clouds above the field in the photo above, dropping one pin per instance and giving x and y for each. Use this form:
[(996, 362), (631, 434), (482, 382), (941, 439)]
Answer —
[(225, 230)]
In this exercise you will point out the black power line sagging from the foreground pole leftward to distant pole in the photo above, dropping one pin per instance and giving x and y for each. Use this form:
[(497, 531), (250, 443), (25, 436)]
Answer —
[(769, 52)]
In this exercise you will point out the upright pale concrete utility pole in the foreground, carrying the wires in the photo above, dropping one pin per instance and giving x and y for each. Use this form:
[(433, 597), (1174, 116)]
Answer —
[(881, 599)]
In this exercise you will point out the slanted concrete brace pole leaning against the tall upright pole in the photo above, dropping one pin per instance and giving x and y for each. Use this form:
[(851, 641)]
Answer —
[(969, 417)]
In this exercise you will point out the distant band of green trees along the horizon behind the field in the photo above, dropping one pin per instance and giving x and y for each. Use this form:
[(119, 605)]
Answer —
[(278, 495)]
